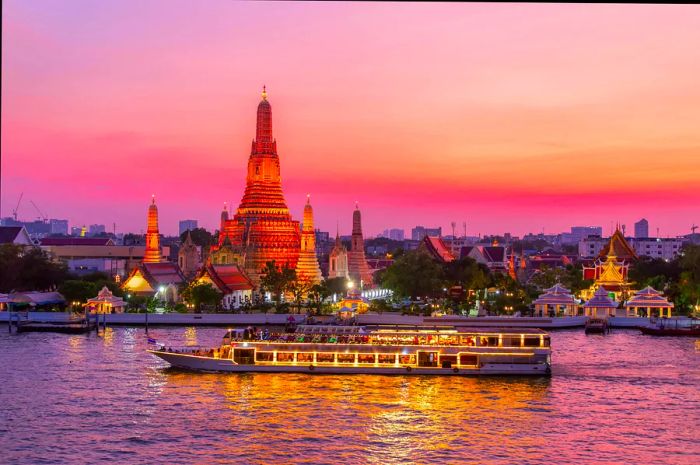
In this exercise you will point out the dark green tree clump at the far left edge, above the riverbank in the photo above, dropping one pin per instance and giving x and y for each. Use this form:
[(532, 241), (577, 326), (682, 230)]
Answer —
[(28, 269)]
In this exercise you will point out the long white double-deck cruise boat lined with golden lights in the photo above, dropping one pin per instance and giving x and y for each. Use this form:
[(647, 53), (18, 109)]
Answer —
[(352, 350)]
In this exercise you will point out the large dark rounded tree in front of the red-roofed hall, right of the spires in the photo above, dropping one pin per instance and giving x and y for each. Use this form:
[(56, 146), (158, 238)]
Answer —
[(414, 274)]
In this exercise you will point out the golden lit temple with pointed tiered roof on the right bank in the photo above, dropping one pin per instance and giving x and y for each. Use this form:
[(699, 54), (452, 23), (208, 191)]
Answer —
[(610, 270)]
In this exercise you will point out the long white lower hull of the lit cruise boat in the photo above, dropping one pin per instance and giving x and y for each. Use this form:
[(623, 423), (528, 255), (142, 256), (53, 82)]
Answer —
[(208, 364)]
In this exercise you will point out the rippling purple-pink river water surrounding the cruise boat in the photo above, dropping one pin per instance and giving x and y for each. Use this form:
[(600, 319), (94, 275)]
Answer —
[(620, 398)]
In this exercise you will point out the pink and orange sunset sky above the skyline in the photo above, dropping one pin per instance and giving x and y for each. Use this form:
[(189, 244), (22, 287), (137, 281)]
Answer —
[(511, 117)]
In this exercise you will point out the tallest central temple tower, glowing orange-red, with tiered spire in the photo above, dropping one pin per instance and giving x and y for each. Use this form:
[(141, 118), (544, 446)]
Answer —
[(262, 228)]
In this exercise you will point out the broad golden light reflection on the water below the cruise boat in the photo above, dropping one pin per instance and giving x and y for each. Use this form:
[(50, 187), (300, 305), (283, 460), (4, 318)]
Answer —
[(400, 419)]
